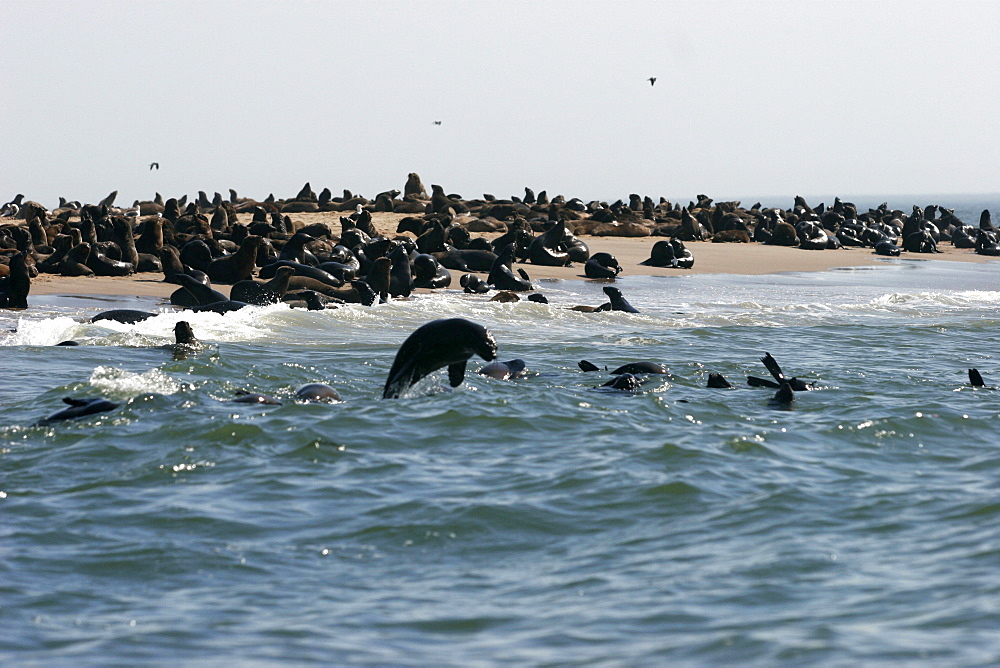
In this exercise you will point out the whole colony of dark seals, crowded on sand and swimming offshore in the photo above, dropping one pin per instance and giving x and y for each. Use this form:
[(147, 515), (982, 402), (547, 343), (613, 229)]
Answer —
[(265, 256)]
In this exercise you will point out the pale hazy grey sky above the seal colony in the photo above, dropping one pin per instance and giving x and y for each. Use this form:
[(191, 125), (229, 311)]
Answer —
[(752, 99)]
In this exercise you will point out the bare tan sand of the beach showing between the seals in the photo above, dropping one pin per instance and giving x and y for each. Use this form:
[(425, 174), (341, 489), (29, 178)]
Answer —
[(710, 258)]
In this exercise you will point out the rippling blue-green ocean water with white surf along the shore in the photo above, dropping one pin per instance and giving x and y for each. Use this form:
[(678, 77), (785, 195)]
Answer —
[(538, 521)]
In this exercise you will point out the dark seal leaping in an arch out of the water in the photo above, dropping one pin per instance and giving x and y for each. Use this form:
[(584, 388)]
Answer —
[(435, 345)]
